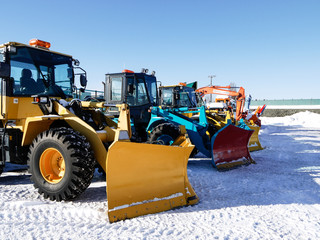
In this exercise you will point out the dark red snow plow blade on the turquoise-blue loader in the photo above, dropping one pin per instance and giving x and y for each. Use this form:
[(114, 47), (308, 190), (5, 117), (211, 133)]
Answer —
[(230, 147)]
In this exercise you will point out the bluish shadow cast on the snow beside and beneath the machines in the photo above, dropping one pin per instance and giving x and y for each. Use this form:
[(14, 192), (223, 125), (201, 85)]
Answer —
[(287, 172)]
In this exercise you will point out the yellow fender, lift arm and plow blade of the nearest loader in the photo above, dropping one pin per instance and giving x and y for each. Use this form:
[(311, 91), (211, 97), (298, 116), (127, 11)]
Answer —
[(141, 178)]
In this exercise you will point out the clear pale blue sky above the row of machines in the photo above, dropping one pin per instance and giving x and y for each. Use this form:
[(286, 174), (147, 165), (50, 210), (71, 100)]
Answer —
[(271, 47)]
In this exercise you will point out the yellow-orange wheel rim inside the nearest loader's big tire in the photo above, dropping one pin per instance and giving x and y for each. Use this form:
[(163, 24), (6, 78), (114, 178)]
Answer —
[(52, 165)]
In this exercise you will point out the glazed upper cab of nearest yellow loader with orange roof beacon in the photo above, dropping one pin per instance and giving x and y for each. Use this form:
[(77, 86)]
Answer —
[(35, 70)]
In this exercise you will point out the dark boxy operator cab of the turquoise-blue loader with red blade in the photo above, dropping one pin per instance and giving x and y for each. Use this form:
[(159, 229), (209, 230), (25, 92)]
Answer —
[(139, 91)]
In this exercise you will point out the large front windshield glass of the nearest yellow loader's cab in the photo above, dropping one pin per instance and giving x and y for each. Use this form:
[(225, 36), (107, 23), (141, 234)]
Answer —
[(34, 72)]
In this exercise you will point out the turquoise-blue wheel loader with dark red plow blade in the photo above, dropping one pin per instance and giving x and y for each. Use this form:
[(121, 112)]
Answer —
[(160, 123)]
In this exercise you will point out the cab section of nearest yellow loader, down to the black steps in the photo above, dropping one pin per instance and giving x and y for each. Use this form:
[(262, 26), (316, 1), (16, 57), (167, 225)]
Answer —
[(29, 73)]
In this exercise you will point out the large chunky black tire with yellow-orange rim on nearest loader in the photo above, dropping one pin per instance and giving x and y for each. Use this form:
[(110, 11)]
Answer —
[(79, 164)]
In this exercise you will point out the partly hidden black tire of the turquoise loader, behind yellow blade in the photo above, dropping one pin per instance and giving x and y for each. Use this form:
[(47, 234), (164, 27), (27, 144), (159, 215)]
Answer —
[(164, 133)]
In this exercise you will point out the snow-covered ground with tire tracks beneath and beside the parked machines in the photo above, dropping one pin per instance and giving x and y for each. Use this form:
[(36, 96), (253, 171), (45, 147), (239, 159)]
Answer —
[(277, 198)]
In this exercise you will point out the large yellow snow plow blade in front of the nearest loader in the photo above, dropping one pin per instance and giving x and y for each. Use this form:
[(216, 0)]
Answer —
[(147, 178)]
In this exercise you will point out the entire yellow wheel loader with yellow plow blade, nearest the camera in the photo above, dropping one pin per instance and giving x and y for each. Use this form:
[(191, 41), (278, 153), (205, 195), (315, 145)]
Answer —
[(61, 138)]
